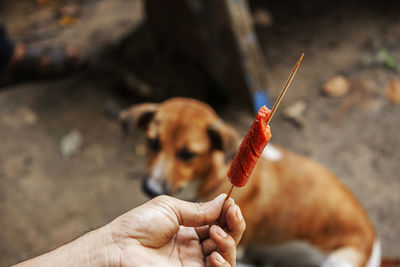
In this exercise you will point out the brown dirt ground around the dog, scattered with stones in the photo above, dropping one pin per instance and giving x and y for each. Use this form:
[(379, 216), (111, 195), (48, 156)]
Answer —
[(47, 200)]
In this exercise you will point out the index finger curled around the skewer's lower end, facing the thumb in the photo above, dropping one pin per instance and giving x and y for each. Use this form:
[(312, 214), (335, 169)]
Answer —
[(235, 223)]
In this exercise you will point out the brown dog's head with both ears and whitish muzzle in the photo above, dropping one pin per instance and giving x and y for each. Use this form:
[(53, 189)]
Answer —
[(186, 140)]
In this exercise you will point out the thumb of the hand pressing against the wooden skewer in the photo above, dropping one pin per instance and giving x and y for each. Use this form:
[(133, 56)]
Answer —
[(194, 214)]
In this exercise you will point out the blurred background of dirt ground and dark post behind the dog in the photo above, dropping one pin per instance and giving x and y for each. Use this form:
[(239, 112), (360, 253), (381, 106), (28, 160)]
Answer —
[(65, 167)]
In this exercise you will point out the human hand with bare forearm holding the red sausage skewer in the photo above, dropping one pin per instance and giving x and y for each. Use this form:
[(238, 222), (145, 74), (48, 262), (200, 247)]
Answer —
[(162, 232)]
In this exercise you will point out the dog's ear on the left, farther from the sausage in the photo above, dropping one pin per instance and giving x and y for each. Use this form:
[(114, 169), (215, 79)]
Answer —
[(137, 116)]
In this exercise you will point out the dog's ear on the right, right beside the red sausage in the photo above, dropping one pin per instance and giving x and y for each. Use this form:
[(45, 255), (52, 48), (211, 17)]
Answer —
[(223, 138)]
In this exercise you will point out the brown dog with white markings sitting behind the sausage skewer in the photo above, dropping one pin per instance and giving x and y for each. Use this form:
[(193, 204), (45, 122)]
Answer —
[(288, 196)]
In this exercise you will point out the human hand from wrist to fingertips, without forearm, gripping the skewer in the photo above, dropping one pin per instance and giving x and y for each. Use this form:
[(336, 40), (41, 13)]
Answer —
[(169, 232)]
